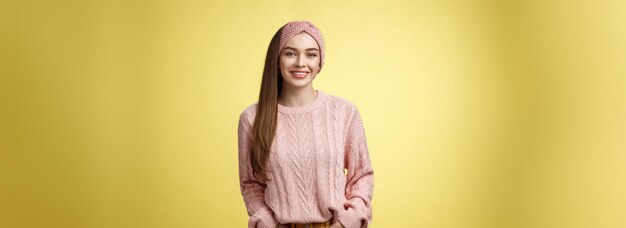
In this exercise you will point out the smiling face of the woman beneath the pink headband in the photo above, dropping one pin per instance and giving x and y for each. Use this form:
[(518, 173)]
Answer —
[(299, 61)]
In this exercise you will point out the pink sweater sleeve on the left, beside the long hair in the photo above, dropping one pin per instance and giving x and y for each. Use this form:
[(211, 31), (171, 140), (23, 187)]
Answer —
[(252, 190)]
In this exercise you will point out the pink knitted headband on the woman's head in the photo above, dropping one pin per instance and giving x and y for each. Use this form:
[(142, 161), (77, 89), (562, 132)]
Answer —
[(292, 28)]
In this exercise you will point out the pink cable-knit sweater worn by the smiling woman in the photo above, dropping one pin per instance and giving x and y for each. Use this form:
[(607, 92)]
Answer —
[(312, 147)]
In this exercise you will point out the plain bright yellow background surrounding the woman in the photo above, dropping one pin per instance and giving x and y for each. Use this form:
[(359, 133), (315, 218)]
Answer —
[(477, 113)]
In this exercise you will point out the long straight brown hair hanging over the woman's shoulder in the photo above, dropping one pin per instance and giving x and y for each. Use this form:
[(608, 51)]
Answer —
[(265, 121)]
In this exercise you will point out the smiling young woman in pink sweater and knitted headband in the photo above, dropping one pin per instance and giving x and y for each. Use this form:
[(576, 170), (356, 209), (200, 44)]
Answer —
[(303, 156)]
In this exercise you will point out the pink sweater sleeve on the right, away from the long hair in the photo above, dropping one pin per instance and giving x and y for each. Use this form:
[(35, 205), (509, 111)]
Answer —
[(360, 176)]
